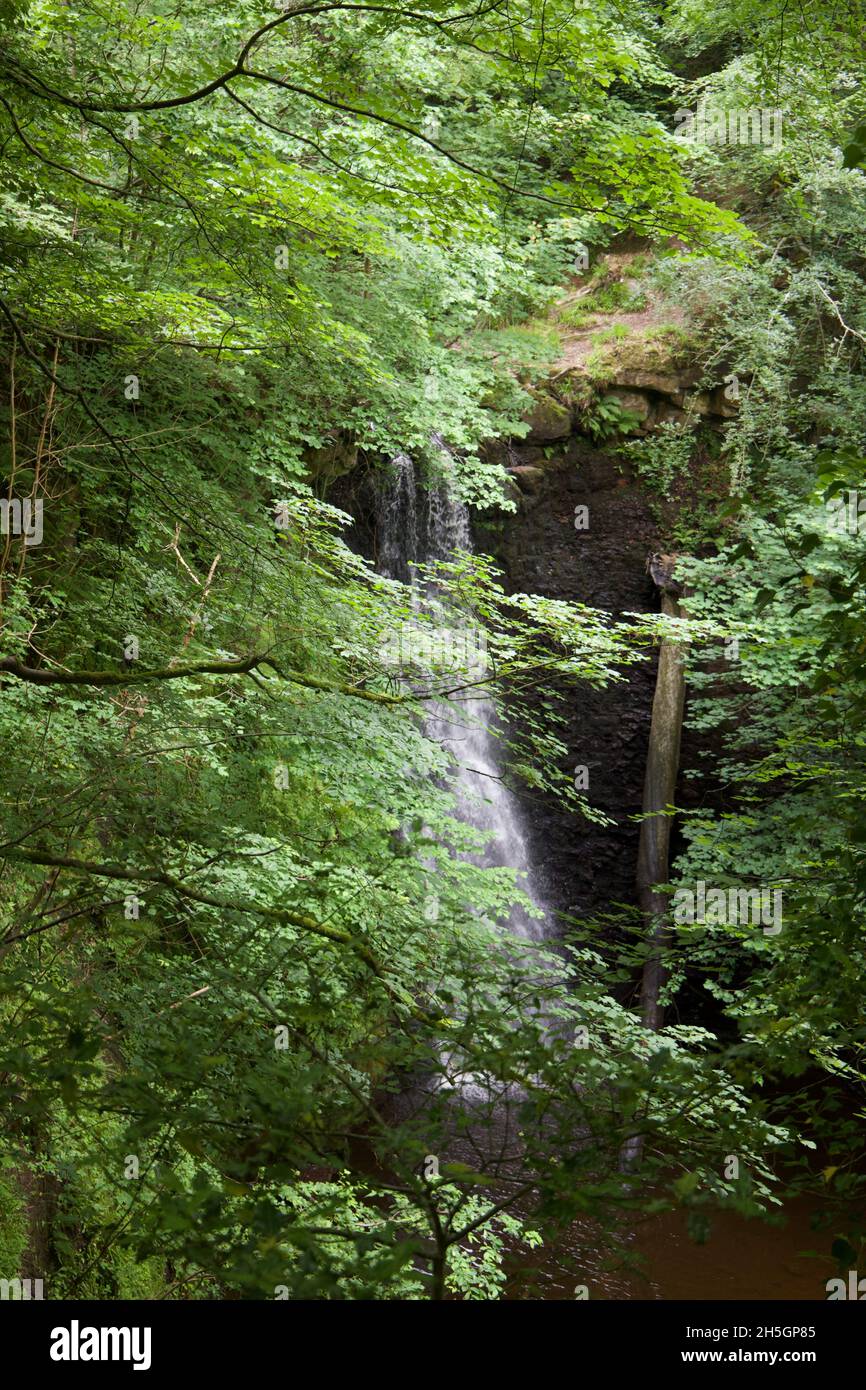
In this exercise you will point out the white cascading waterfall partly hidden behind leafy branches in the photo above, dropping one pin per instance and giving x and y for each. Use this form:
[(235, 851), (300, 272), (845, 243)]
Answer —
[(416, 528)]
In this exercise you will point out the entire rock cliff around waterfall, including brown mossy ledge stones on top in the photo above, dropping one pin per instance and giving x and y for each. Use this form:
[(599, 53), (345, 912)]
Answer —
[(585, 869)]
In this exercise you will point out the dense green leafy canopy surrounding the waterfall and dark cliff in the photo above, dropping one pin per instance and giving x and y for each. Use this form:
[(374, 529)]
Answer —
[(248, 250)]
